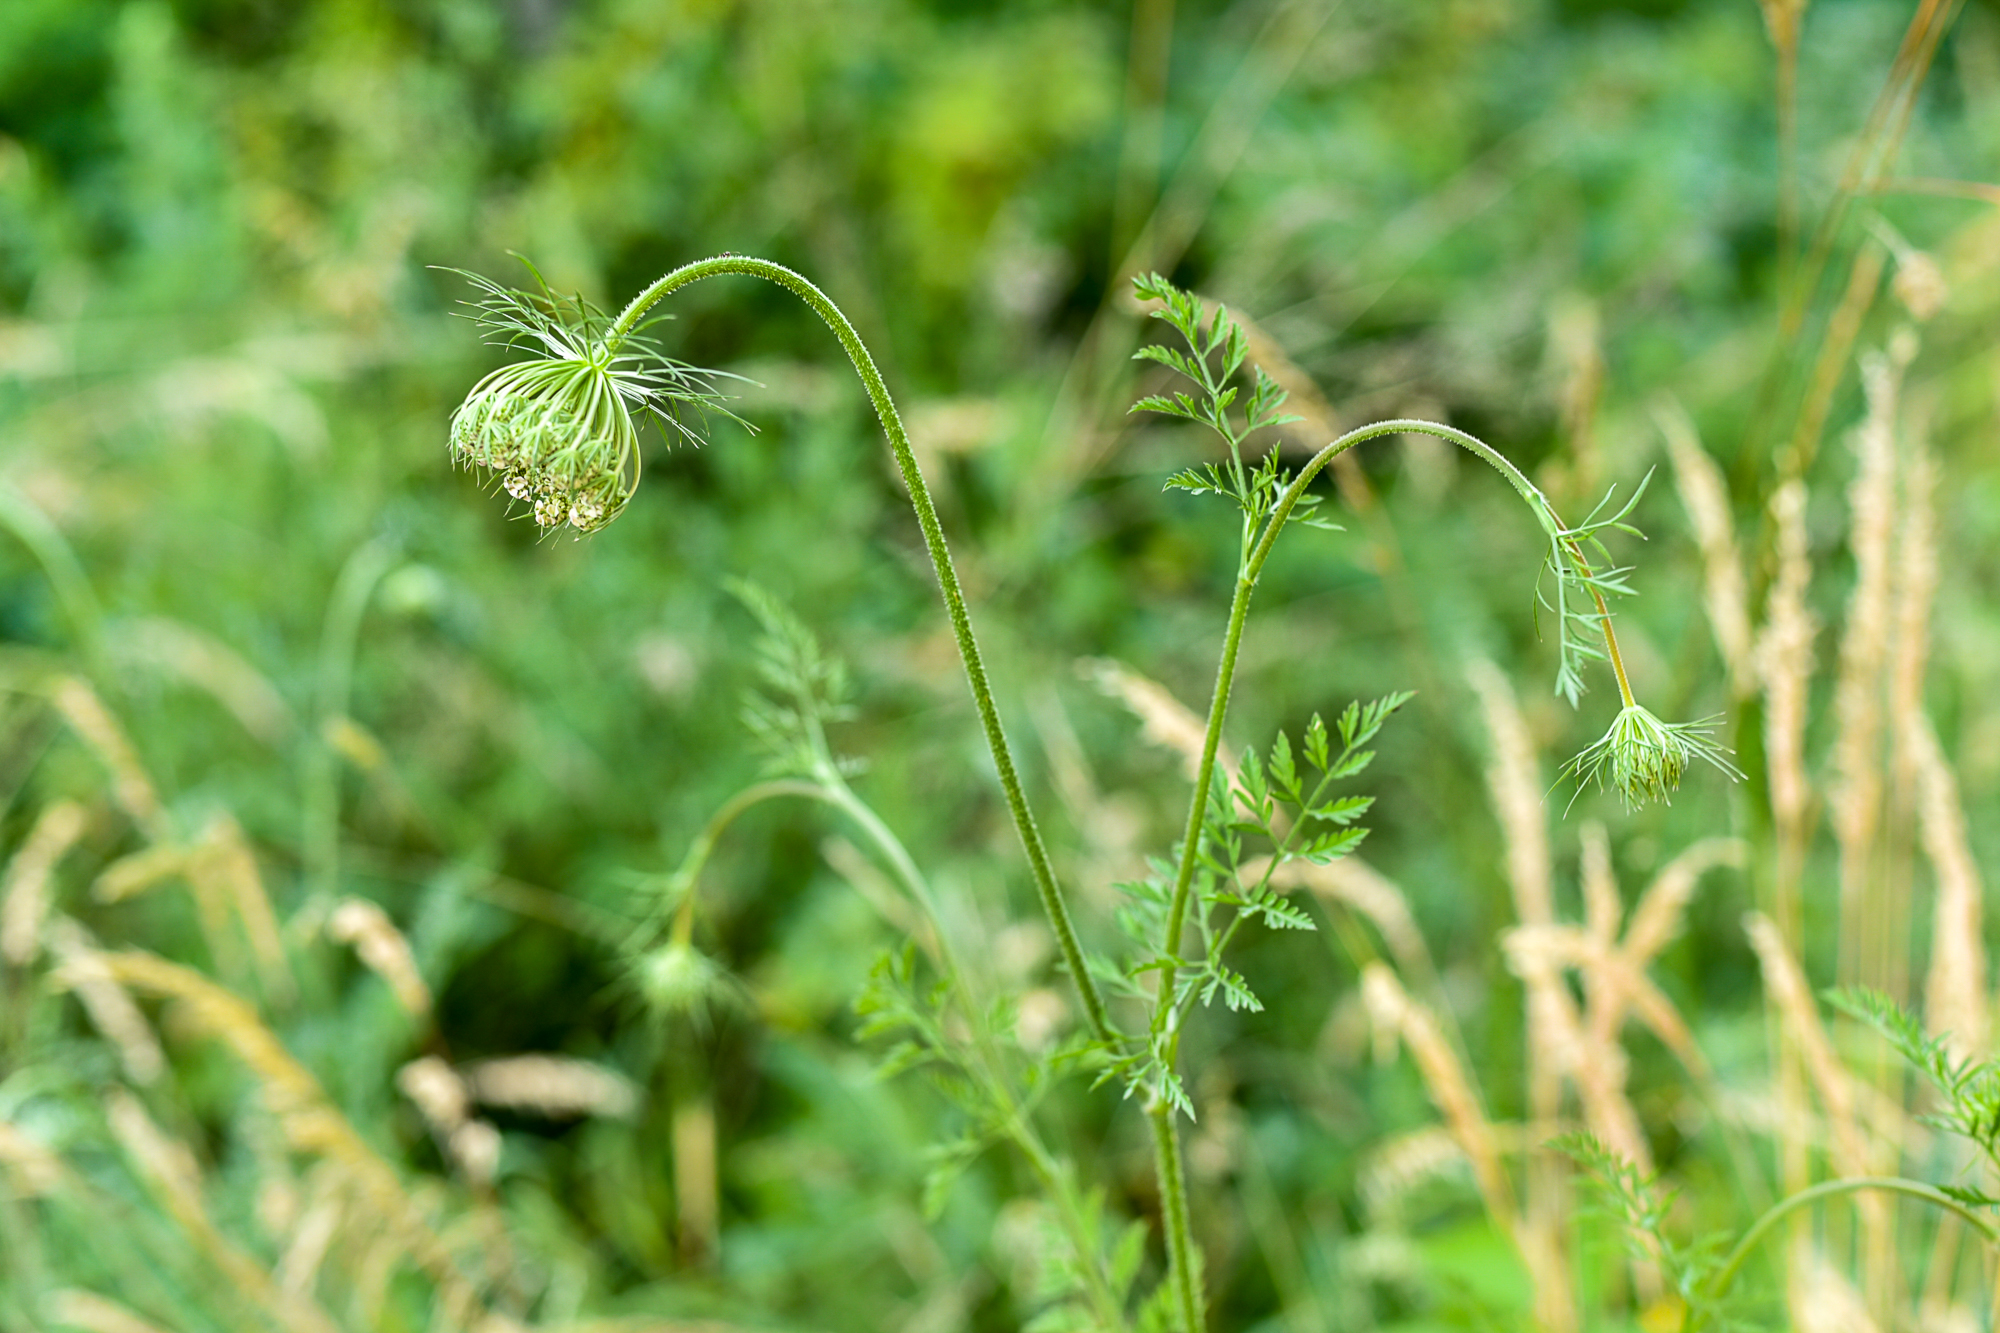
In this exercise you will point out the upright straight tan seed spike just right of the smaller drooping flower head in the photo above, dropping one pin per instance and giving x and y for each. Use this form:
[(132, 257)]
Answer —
[(1785, 668)]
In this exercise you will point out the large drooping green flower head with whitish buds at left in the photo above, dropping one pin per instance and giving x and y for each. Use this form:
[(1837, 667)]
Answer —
[(561, 429)]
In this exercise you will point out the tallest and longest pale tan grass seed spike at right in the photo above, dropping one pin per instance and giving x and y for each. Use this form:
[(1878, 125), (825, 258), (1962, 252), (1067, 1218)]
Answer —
[(1857, 792)]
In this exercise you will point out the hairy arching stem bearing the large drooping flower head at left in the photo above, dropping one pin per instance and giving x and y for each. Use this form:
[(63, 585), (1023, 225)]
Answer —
[(941, 559)]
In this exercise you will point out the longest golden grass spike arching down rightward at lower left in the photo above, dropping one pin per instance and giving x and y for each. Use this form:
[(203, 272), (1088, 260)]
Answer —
[(309, 1122)]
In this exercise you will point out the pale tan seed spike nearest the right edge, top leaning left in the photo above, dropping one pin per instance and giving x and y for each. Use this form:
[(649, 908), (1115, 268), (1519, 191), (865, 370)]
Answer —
[(1955, 996)]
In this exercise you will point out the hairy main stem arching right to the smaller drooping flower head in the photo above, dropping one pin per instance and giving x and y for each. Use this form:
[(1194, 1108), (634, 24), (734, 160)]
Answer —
[(1173, 1182)]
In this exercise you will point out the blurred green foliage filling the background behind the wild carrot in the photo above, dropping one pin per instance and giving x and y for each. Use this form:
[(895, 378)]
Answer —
[(227, 365)]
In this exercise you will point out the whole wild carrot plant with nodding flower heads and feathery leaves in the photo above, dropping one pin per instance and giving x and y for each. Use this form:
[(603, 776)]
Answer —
[(559, 433)]
